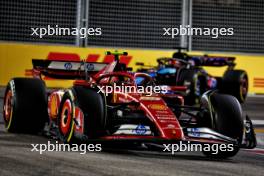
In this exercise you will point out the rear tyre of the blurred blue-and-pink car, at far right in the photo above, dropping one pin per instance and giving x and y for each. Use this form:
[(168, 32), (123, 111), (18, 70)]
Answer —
[(235, 82)]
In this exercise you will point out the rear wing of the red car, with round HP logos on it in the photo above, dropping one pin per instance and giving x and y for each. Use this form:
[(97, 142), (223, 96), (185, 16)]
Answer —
[(65, 69)]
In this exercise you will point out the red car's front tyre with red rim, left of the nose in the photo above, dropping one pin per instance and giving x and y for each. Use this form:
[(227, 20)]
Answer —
[(93, 107)]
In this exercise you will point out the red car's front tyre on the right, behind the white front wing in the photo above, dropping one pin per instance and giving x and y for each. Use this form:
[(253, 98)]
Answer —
[(227, 120)]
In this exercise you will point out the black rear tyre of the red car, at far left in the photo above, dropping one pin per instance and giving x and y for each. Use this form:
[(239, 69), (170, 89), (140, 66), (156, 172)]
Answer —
[(25, 105)]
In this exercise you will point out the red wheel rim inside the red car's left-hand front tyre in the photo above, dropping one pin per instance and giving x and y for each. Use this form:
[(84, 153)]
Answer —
[(66, 117)]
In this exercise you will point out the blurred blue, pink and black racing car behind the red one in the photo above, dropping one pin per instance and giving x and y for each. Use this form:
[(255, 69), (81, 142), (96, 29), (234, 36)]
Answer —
[(187, 70)]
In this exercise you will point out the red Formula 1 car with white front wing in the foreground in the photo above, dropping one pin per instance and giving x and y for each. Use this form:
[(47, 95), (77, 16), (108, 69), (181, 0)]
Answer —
[(85, 113)]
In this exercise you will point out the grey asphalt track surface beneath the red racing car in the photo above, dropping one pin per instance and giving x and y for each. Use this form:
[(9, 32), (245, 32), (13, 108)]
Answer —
[(16, 157)]
